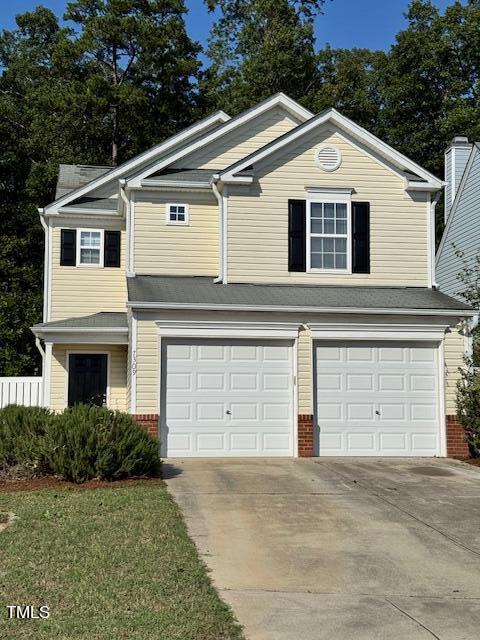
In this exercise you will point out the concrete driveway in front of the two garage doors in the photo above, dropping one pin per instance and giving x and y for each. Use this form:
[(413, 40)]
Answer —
[(350, 549)]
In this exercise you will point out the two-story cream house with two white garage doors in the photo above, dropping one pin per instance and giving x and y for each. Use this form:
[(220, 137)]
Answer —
[(256, 286)]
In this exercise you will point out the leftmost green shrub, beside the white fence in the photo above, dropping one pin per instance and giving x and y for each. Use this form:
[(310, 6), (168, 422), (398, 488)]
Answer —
[(23, 446)]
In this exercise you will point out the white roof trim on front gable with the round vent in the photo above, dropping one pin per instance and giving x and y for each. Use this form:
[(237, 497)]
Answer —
[(333, 116)]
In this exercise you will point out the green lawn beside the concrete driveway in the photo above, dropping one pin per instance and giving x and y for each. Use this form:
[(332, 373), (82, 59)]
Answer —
[(110, 563)]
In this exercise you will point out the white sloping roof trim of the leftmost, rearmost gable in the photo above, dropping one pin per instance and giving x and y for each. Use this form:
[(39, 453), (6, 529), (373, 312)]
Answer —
[(118, 172)]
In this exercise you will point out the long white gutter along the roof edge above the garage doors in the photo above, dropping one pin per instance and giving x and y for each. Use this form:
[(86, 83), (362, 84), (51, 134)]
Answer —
[(267, 308)]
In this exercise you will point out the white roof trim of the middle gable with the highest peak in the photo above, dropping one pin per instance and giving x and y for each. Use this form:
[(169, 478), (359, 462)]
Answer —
[(279, 99)]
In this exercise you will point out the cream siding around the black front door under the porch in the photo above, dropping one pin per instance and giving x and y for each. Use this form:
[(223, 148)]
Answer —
[(116, 377)]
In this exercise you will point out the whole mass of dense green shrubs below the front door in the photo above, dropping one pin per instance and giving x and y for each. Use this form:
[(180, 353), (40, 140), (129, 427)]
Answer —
[(80, 444)]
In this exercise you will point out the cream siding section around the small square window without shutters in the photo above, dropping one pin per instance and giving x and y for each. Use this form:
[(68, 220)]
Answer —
[(172, 249)]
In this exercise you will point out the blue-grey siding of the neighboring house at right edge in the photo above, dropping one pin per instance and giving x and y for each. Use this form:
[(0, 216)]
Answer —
[(462, 232)]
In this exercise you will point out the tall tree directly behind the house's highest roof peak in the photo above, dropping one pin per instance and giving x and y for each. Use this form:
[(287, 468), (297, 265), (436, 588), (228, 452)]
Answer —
[(260, 47)]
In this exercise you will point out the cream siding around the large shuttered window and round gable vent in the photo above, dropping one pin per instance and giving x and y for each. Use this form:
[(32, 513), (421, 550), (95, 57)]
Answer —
[(258, 217)]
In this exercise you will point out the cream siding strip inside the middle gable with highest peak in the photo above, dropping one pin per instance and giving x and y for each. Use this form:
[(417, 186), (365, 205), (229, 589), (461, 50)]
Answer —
[(240, 142)]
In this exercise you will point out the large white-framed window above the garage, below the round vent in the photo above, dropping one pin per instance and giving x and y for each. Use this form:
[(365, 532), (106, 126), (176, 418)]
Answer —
[(329, 234)]
